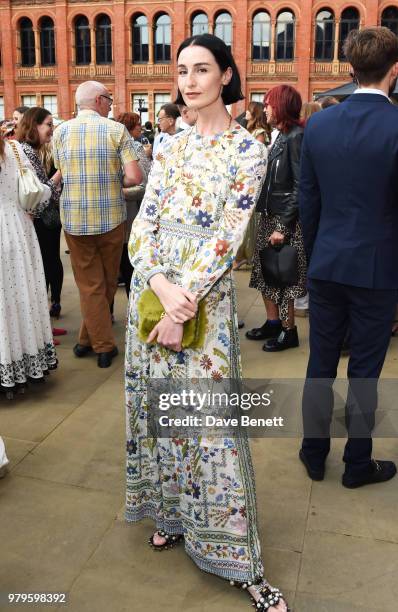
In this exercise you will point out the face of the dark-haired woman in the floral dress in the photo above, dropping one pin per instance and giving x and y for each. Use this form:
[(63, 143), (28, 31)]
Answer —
[(200, 79)]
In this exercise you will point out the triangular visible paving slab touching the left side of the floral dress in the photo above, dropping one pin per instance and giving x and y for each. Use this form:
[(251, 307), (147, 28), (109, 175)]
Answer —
[(87, 449)]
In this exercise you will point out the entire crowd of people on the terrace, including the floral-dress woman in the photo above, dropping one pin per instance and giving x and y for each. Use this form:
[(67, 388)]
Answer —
[(172, 215)]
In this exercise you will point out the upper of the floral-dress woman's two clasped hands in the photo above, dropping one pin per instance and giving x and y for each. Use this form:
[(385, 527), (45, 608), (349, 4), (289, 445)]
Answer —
[(178, 303)]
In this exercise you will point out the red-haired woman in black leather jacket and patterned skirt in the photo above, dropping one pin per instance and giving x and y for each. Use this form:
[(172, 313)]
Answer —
[(279, 224)]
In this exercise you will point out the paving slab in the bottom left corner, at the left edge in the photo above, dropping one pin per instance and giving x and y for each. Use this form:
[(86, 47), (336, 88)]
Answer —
[(49, 532)]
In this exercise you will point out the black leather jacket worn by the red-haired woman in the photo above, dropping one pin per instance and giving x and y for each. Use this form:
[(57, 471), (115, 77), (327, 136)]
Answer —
[(279, 195)]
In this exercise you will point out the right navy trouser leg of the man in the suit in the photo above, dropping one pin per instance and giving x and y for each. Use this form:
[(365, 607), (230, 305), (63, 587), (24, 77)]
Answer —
[(371, 313)]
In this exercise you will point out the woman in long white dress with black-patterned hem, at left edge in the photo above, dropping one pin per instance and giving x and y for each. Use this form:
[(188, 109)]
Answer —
[(27, 350)]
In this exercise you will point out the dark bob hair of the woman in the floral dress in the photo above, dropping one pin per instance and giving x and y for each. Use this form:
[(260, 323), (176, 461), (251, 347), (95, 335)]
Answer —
[(233, 91)]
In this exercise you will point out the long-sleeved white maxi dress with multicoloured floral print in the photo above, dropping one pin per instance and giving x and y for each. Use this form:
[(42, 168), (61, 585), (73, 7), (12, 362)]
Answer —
[(200, 195)]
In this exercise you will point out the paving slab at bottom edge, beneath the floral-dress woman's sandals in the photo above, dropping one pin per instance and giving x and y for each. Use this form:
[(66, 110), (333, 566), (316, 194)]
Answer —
[(124, 570)]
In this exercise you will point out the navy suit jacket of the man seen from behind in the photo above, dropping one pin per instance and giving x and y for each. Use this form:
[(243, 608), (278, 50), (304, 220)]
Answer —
[(348, 193)]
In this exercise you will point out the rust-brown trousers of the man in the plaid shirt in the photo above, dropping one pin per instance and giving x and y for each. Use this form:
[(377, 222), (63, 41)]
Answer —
[(95, 262)]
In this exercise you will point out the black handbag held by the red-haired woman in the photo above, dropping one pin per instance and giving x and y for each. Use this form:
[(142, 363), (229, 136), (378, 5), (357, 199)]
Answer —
[(279, 265)]
